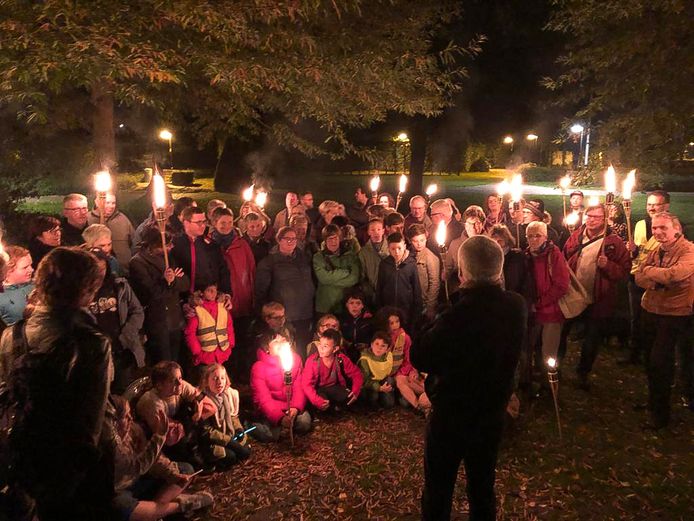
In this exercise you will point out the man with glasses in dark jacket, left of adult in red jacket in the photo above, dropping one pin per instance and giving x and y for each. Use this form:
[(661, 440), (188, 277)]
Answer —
[(201, 260)]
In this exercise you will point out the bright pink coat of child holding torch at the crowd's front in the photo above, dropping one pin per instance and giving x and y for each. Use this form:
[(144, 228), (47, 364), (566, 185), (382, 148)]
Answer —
[(269, 391)]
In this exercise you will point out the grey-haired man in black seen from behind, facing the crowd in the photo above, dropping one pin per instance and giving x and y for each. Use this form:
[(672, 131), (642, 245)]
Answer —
[(470, 354)]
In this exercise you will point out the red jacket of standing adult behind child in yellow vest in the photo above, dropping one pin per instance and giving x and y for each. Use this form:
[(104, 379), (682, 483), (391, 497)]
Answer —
[(241, 264)]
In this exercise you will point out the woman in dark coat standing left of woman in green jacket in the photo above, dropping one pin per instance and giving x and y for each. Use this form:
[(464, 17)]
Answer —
[(285, 276)]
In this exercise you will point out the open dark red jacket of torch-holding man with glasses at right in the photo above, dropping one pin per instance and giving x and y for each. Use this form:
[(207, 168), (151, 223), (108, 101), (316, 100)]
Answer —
[(606, 279)]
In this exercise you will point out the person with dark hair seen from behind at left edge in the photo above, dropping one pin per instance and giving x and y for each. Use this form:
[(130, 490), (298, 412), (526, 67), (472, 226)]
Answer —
[(61, 442)]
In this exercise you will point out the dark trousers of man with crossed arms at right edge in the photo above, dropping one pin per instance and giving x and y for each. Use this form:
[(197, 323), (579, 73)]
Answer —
[(660, 334)]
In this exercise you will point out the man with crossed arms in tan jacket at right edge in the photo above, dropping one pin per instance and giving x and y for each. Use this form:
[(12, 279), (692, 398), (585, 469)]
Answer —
[(667, 275)]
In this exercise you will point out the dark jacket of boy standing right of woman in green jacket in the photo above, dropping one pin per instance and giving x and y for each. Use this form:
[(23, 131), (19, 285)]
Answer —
[(398, 285)]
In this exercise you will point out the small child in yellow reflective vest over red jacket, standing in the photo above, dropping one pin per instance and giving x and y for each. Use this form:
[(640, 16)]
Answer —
[(210, 330)]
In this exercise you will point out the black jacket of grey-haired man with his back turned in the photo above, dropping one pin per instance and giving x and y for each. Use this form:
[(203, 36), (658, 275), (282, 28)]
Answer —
[(470, 354)]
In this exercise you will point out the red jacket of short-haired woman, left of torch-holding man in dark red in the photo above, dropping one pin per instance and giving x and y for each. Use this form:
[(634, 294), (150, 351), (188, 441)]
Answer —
[(549, 289)]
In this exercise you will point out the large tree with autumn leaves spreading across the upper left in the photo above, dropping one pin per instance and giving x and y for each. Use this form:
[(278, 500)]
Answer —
[(237, 68)]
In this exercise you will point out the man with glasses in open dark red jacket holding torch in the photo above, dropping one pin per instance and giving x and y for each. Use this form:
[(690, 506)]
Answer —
[(600, 261)]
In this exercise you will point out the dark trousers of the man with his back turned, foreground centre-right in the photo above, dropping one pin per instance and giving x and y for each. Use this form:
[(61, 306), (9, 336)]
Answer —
[(448, 442)]
